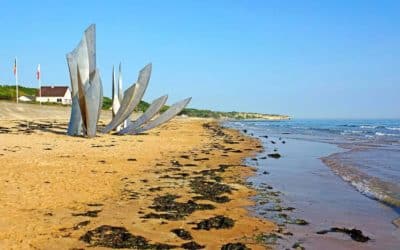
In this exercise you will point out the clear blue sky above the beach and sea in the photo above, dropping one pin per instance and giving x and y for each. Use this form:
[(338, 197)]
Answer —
[(306, 59)]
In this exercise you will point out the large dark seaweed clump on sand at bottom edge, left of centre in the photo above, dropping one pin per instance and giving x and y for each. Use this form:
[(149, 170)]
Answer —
[(119, 237)]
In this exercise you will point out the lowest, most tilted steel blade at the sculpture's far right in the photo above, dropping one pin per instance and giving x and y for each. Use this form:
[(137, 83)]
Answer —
[(163, 118)]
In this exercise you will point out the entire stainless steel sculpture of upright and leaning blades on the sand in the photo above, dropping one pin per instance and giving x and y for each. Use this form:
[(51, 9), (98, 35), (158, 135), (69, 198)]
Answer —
[(87, 95)]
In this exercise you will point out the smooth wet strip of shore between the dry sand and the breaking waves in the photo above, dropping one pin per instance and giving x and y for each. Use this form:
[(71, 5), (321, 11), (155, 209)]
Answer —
[(299, 185)]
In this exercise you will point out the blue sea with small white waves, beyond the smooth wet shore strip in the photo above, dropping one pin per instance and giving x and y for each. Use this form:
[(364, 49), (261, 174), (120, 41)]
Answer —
[(370, 161)]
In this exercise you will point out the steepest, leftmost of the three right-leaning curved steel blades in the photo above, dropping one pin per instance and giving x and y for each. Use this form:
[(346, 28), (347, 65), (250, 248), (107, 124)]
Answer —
[(132, 97)]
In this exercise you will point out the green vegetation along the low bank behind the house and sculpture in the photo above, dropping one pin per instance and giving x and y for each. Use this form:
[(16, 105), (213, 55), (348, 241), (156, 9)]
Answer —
[(8, 93)]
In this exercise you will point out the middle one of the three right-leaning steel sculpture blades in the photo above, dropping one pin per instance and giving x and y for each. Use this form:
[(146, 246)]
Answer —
[(153, 109)]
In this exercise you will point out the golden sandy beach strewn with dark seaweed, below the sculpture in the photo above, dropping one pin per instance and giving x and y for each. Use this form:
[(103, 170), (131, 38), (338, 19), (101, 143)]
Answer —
[(181, 185)]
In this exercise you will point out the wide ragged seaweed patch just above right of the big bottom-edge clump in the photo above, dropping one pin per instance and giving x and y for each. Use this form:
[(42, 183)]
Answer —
[(174, 210)]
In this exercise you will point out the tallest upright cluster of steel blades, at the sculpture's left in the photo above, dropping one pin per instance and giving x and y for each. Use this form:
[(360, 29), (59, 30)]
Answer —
[(87, 92)]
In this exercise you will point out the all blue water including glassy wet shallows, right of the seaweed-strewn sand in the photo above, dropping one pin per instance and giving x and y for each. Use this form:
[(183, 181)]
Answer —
[(336, 173)]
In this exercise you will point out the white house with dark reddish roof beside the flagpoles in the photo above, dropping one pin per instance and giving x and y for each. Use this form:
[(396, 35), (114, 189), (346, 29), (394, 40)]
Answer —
[(54, 94)]
